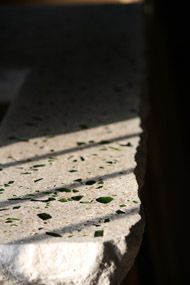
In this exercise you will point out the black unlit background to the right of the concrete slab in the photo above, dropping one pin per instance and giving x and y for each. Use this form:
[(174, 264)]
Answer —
[(166, 198)]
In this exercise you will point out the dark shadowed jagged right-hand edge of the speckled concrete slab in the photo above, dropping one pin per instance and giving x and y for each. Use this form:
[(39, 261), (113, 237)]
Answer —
[(135, 237)]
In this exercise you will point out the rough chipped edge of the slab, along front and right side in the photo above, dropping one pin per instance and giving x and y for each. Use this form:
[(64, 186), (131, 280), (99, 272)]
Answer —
[(103, 263)]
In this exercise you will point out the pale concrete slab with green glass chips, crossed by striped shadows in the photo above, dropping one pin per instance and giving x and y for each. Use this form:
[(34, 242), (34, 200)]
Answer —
[(70, 145)]
